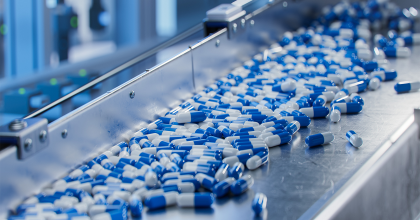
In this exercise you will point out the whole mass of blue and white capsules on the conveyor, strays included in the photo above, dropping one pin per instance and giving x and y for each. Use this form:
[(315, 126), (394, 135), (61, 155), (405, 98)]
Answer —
[(201, 149)]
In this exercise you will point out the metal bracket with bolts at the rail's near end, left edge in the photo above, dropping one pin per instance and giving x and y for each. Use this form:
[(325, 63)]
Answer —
[(29, 135)]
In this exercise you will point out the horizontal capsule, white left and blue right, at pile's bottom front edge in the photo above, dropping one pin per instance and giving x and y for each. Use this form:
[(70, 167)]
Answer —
[(197, 200)]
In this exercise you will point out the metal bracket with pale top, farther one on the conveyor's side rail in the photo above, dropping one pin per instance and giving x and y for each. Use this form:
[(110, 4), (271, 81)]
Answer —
[(225, 16)]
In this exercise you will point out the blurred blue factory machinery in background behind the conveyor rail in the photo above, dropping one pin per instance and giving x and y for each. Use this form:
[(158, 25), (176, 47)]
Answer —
[(49, 48)]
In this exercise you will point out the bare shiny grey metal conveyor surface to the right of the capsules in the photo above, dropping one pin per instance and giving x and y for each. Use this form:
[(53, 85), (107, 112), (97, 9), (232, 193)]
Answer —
[(296, 176)]
